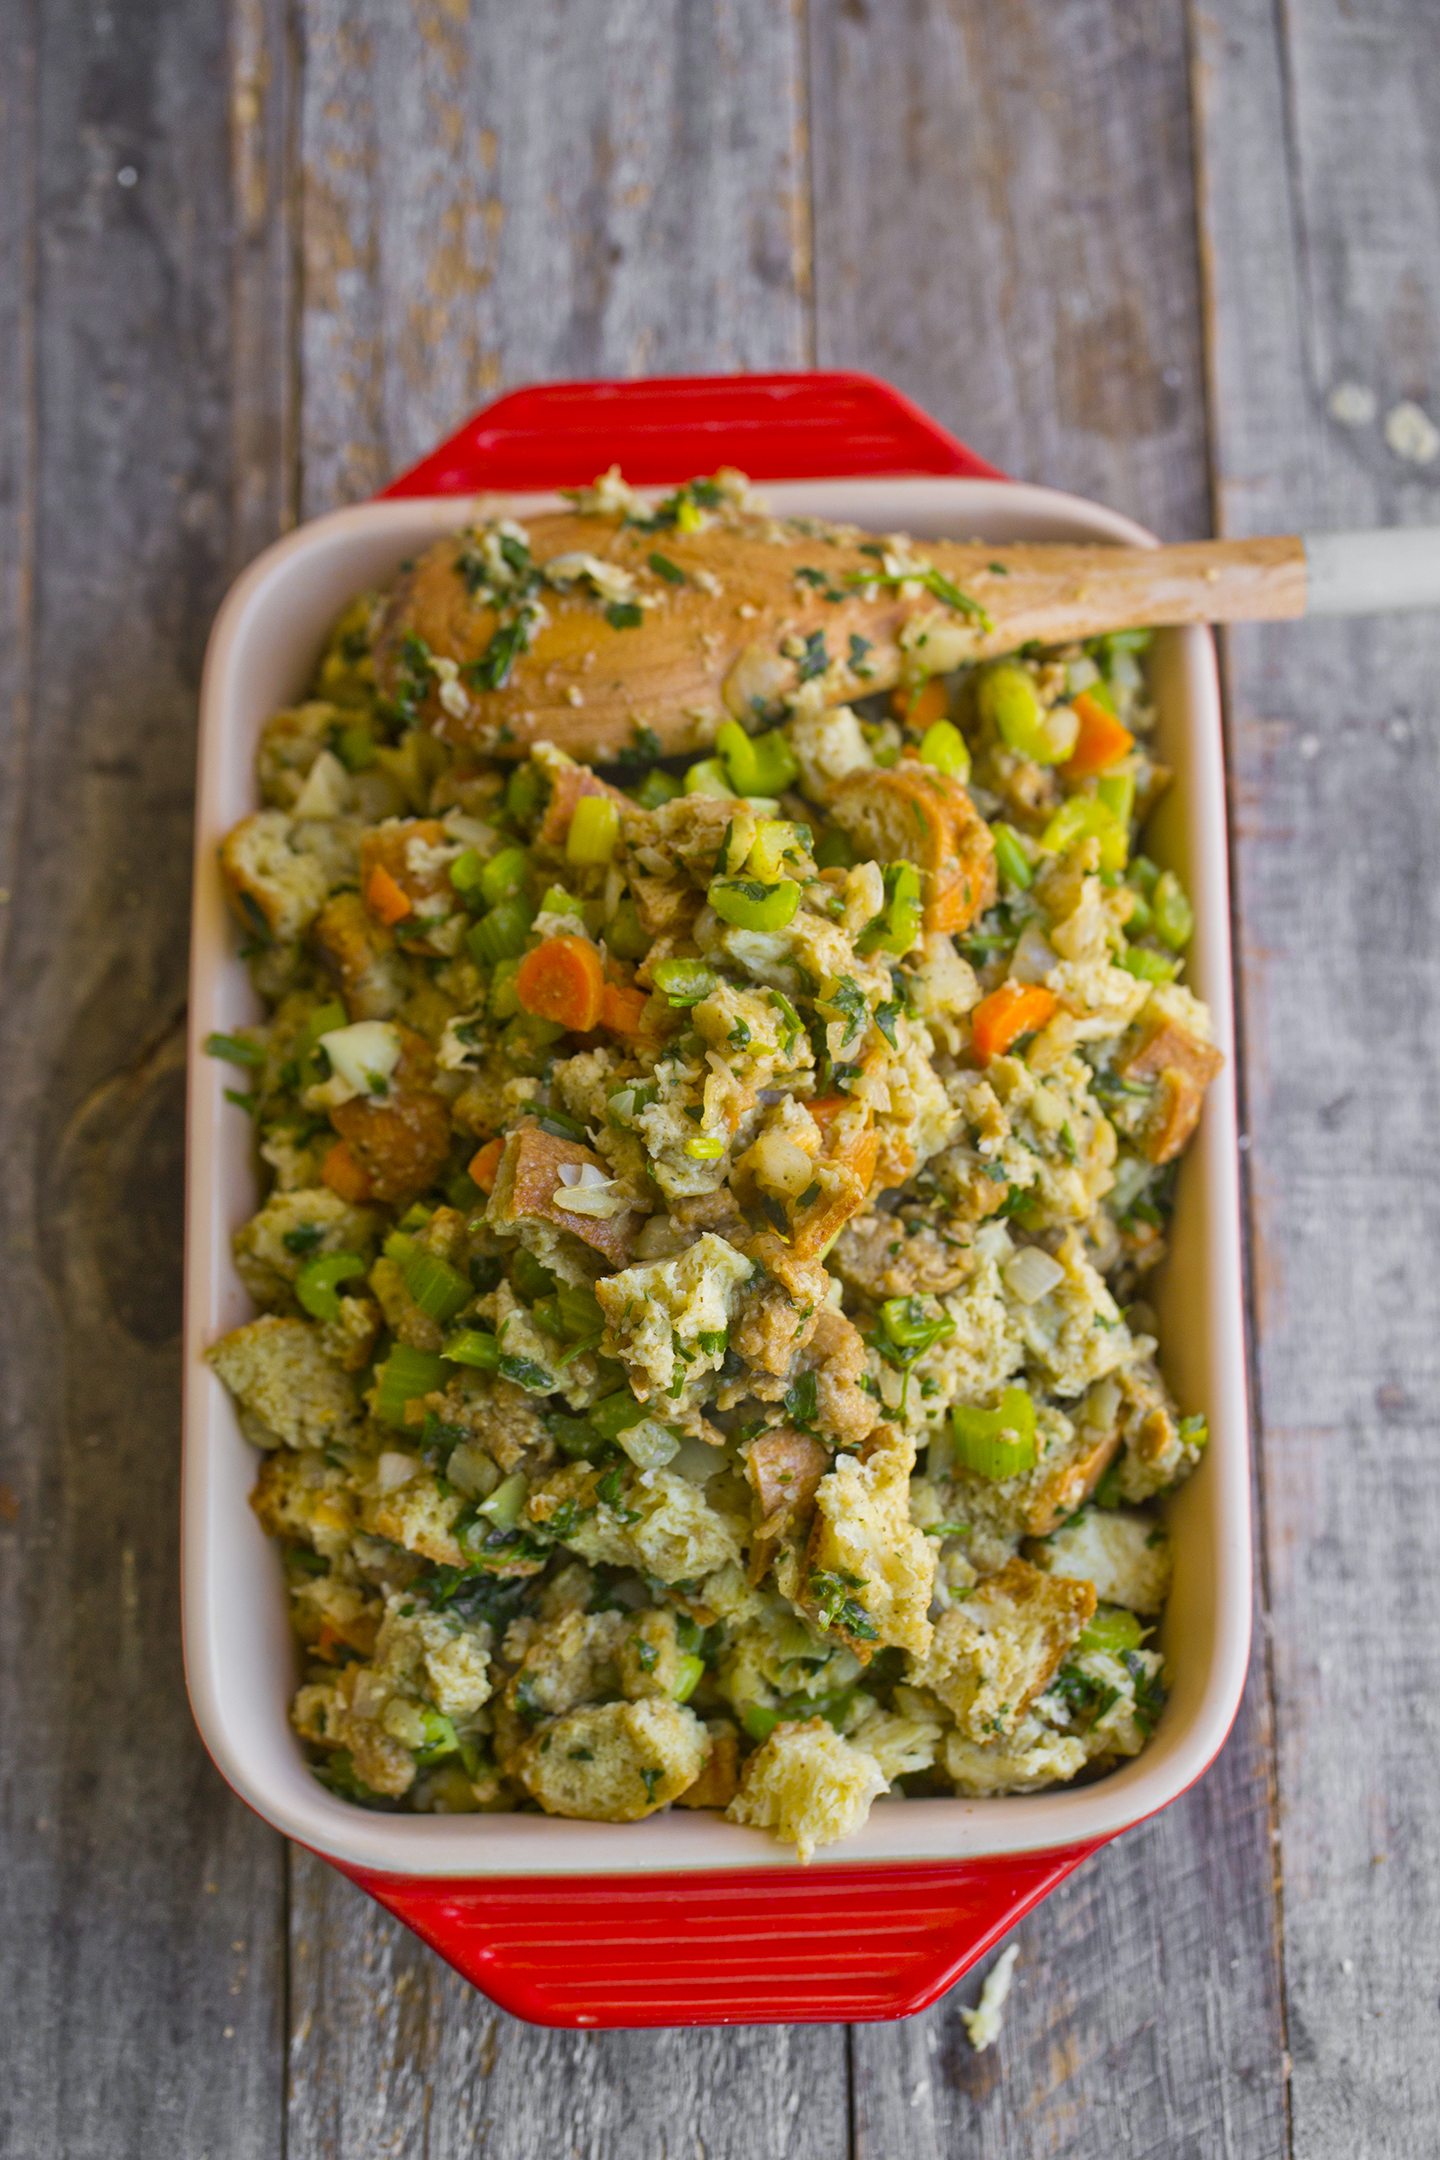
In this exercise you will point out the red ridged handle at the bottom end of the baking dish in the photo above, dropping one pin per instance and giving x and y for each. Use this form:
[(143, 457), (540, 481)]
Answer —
[(824, 1945)]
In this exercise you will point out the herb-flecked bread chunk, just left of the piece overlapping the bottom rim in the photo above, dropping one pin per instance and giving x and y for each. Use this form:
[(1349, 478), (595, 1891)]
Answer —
[(614, 1761)]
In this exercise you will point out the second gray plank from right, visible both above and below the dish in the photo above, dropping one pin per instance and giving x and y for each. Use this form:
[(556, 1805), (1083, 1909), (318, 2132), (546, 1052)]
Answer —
[(1005, 224)]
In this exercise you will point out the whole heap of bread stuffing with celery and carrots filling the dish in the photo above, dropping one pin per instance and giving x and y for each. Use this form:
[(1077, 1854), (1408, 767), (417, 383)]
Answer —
[(595, 1351)]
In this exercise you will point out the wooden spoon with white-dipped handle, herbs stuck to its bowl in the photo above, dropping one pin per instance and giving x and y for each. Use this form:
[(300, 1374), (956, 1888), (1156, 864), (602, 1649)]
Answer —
[(731, 621)]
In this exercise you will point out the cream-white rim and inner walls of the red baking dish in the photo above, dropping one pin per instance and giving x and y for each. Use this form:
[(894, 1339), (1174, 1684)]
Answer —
[(241, 1658)]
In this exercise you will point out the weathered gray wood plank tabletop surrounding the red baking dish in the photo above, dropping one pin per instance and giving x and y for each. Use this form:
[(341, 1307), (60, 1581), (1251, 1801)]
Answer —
[(1072, 234)]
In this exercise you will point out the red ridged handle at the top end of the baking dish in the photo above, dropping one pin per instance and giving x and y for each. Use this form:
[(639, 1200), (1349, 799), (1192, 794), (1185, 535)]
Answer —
[(791, 427)]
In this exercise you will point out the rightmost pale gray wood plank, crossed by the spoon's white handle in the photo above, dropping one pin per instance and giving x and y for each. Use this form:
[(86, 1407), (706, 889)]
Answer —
[(1327, 271)]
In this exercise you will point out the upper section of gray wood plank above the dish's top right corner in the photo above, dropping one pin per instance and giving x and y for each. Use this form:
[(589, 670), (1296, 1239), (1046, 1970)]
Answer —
[(1005, 228)]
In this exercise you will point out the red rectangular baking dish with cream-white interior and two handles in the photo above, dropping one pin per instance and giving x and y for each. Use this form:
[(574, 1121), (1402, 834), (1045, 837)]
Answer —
[(688, 1917)]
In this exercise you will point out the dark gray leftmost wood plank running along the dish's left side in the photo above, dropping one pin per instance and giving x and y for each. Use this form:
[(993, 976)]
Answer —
[(141, 1930)]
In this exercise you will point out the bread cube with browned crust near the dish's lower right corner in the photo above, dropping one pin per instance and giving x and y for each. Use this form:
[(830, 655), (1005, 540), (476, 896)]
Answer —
[(999, 1651)]
